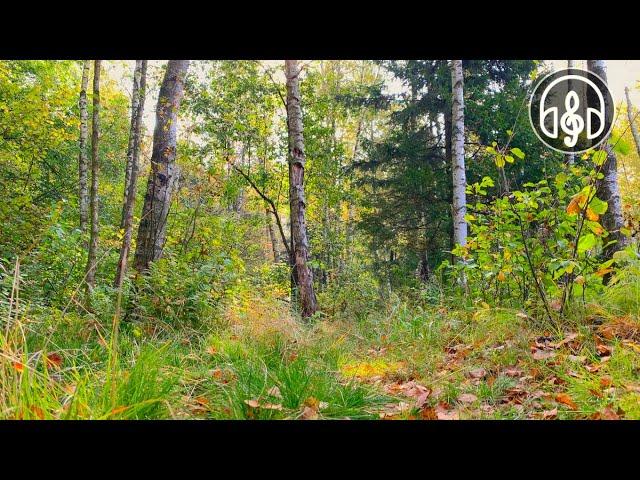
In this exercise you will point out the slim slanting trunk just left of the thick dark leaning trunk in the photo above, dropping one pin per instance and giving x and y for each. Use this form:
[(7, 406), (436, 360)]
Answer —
[(137, 105)]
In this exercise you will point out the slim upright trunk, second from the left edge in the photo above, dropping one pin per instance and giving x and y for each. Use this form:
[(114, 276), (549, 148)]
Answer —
[(95, 138)]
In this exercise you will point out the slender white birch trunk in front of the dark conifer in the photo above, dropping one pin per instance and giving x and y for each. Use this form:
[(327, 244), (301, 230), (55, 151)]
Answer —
[(457, 147)]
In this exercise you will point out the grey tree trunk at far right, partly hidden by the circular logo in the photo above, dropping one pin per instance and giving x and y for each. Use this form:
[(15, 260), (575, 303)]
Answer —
[(608, 188)]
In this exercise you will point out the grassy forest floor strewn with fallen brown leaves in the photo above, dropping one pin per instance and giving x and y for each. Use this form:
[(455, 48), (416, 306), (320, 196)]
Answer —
[(256, 361)]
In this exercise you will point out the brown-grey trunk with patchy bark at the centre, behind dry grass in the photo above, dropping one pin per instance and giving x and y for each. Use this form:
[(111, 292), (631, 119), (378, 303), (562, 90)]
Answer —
[(297, 202)]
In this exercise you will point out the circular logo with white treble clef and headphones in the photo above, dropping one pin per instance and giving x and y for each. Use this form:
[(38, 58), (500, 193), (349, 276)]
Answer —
[(572, 110)]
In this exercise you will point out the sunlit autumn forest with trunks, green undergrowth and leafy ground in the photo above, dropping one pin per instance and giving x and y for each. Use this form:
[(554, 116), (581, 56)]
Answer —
[(312, 240)]
